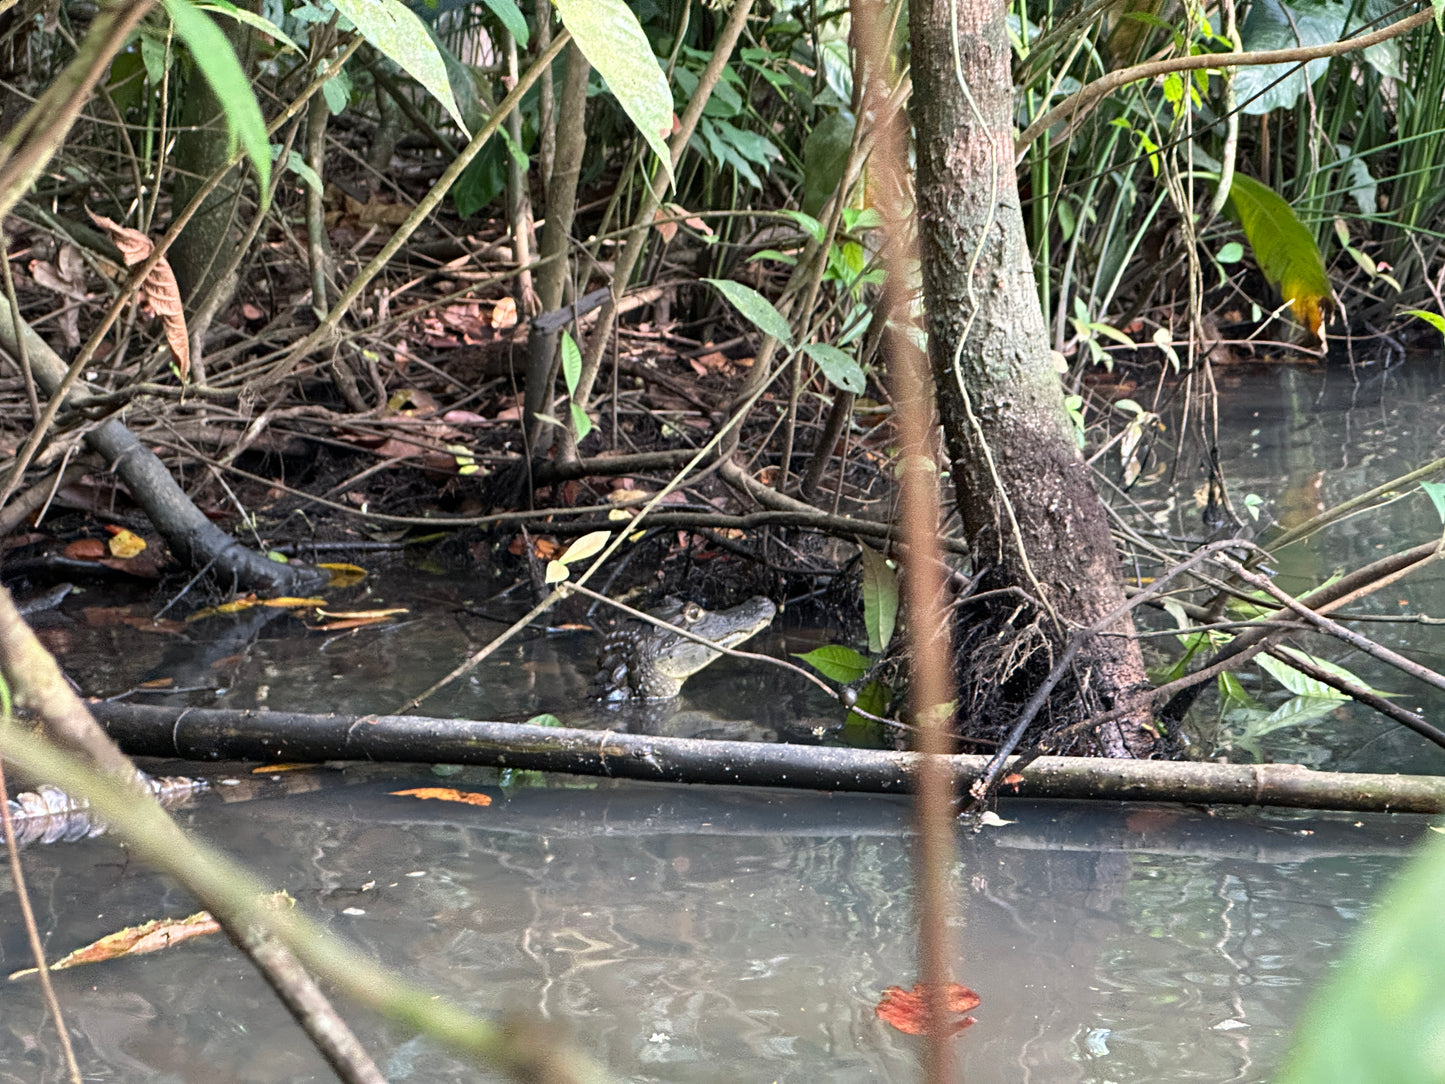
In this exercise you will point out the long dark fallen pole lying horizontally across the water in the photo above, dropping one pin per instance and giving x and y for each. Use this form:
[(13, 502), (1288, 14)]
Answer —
[(210, 735)]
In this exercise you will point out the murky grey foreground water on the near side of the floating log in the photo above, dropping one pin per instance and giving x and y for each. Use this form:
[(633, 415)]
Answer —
[(699, 934)]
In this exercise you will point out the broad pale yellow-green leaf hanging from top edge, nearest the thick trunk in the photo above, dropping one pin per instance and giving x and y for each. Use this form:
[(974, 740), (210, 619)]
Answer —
[(612, 38)]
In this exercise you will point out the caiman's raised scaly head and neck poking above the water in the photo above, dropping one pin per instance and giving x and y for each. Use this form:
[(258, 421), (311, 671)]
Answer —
[(650, 663)]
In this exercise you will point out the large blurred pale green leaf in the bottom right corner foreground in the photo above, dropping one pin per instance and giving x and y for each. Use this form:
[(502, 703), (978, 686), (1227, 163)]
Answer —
[(1382, 1014)]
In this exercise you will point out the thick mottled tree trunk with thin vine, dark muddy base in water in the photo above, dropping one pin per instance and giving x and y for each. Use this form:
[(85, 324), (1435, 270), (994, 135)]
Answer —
[(1032, 515)]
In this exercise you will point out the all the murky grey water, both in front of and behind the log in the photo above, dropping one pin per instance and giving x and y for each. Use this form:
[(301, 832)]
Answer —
[(702, 934)]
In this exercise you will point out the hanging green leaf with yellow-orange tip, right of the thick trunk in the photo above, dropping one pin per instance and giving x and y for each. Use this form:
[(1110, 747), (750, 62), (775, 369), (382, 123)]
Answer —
[(1285, 251)]
